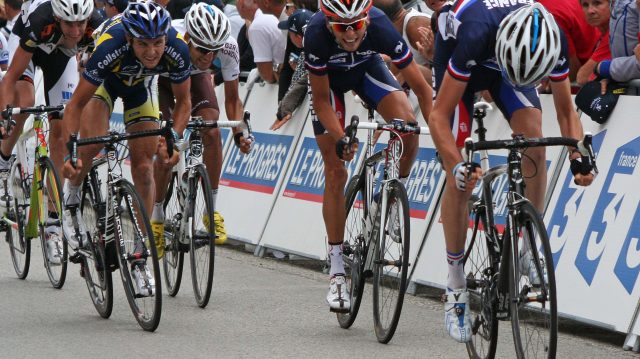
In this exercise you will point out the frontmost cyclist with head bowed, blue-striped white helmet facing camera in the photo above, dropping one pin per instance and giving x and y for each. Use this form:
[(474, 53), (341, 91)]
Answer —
[(468, 59)]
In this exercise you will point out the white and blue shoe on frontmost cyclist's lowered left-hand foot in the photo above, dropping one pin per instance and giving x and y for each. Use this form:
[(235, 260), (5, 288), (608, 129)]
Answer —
[(456, 316)]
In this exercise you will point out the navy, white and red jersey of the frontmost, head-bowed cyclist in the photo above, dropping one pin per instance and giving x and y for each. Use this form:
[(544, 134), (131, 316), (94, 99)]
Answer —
[(469, 28)]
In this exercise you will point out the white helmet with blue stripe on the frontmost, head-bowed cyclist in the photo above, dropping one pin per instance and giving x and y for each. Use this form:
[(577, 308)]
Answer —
[(528, 45)]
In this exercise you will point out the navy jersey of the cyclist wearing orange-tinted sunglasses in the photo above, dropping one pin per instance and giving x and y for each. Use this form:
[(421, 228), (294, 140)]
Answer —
[(322, 52)]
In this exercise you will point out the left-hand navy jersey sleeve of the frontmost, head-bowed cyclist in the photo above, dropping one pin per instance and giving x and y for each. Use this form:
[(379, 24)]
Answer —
[(472, 40)]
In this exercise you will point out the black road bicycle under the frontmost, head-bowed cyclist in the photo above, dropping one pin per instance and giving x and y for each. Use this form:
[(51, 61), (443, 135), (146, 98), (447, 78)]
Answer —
[(509, 272)]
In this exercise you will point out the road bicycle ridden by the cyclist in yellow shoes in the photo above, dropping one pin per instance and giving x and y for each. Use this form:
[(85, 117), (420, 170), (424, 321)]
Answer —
[(189, 225)]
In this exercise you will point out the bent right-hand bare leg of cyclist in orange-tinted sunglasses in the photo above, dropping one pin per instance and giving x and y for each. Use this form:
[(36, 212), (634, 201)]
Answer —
[(395, 105)]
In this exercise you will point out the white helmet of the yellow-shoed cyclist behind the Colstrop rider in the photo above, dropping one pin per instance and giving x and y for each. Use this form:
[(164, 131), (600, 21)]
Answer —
[(207, 25)]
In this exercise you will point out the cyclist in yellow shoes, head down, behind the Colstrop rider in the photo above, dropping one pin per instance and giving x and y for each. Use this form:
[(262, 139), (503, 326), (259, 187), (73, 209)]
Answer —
[(207, 32)]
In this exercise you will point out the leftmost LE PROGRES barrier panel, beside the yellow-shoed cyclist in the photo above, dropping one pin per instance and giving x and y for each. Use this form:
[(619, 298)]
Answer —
[(250, 183)]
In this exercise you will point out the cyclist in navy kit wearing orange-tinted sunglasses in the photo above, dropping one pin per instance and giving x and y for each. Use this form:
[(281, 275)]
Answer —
[(342, 46)]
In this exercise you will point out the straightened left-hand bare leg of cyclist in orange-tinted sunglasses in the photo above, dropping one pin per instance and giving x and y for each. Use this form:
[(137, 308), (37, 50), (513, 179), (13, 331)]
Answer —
[(335, 174)]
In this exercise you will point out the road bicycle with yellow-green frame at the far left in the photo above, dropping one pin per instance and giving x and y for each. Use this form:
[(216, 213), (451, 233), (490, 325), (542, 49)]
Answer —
[(34, 203)]
